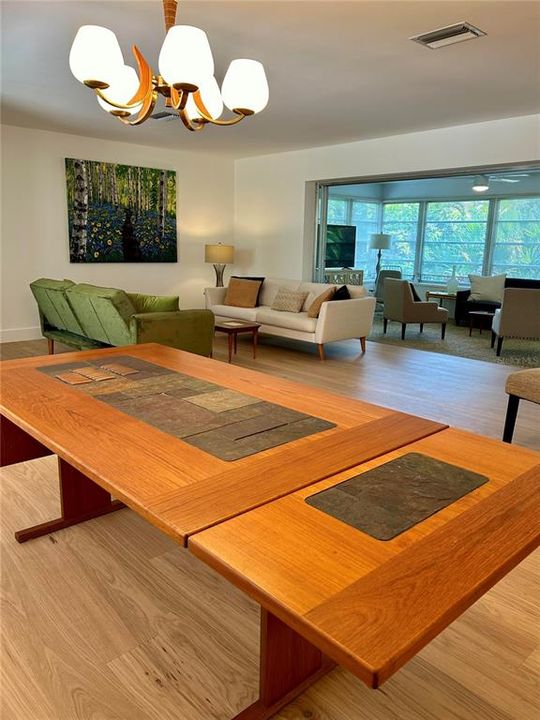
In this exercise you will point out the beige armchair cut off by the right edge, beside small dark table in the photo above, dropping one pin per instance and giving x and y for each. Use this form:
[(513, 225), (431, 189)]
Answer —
[(518, 316)]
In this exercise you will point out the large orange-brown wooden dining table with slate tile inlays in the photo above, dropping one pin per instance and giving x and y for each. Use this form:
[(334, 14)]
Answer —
[(230, 463)]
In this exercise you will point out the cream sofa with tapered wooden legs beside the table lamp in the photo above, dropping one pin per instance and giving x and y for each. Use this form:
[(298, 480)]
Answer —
[(338, 320)]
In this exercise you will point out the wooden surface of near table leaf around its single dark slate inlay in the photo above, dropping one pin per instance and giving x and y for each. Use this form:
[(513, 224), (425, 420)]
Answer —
[(368, 604)]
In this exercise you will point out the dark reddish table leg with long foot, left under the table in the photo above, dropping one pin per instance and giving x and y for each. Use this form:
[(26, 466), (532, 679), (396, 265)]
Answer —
[(80, 499)]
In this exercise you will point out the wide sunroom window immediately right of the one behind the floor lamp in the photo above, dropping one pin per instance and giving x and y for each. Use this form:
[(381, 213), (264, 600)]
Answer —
[(454, 236)]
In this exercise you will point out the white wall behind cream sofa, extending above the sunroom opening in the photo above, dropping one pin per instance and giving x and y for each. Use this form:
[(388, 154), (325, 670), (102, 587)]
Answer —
[(270, 190)]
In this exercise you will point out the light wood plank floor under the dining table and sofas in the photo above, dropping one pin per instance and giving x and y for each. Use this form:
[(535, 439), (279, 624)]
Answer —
[(110, 620)]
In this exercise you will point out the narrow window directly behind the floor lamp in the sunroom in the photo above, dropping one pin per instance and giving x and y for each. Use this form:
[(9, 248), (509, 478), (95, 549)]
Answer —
[(400, 220)]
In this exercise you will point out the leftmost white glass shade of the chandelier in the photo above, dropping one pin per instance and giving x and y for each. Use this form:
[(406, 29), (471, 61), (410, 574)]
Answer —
[(95, 54)]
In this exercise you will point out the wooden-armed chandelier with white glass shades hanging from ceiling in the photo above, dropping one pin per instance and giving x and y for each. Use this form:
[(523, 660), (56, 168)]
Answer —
[(186, 77)]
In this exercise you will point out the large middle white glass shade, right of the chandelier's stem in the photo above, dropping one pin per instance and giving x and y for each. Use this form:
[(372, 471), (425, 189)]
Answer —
[(185, 56)]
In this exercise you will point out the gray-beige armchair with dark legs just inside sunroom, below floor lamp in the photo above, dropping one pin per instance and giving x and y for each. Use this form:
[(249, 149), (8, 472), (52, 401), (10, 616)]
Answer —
[(400, 305)]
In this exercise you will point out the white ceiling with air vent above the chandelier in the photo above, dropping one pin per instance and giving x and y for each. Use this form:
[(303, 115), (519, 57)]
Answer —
[(338, 71)]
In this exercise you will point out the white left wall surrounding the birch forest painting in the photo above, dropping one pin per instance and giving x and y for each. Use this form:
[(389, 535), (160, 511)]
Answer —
[(34, 221)]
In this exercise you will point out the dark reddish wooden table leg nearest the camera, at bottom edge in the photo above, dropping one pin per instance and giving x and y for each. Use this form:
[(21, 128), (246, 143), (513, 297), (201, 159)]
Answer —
[(289, 665)]
